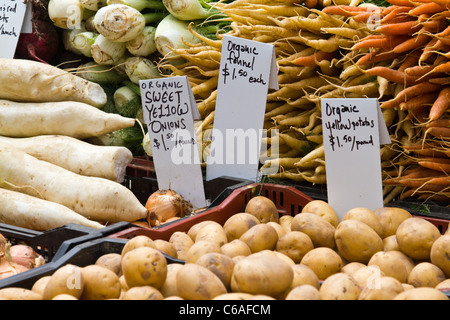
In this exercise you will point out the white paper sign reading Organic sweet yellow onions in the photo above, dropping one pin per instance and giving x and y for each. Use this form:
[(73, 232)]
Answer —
[(168, 112)]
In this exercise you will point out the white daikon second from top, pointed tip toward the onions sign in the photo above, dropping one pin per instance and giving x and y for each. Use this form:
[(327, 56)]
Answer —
[(74, 119)]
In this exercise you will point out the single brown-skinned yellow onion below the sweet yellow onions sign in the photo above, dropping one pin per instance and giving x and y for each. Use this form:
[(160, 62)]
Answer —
[(166, 204)]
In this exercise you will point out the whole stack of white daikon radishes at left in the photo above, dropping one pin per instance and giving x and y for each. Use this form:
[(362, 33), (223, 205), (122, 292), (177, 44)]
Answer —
[(49, 175)]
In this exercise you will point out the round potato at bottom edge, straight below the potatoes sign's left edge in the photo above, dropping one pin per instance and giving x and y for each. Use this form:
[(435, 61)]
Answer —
[(340, 286)]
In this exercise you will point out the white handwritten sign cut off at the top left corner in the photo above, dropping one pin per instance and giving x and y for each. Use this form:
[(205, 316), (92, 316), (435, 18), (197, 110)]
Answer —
[(12, 13)]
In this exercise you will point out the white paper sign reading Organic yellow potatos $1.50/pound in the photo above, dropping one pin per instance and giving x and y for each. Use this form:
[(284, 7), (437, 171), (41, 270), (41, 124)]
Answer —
[(351, 130)]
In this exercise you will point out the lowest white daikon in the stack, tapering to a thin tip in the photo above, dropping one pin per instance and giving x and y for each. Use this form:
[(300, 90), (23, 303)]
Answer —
[(25, 211)]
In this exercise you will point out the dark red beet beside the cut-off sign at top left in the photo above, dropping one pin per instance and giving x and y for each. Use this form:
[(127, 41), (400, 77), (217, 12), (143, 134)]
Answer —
[(43, 43)]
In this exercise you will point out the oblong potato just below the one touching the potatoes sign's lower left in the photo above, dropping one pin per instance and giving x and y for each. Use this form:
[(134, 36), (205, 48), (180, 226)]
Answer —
[(317, 228)]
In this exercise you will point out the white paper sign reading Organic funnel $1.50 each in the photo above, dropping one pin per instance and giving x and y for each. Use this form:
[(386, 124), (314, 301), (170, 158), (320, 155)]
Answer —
[(247, 70)]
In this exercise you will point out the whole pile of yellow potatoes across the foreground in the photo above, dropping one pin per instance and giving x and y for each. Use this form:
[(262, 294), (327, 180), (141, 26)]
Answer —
[(382, 254)]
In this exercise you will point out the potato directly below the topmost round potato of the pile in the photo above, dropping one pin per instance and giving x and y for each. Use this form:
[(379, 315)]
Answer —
[(260, 237)]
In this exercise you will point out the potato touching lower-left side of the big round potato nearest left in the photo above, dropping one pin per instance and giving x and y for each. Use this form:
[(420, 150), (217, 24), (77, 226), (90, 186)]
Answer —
[(100, 283)]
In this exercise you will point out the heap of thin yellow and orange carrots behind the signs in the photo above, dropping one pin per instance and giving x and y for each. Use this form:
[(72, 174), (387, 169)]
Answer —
[(344, 50)]
